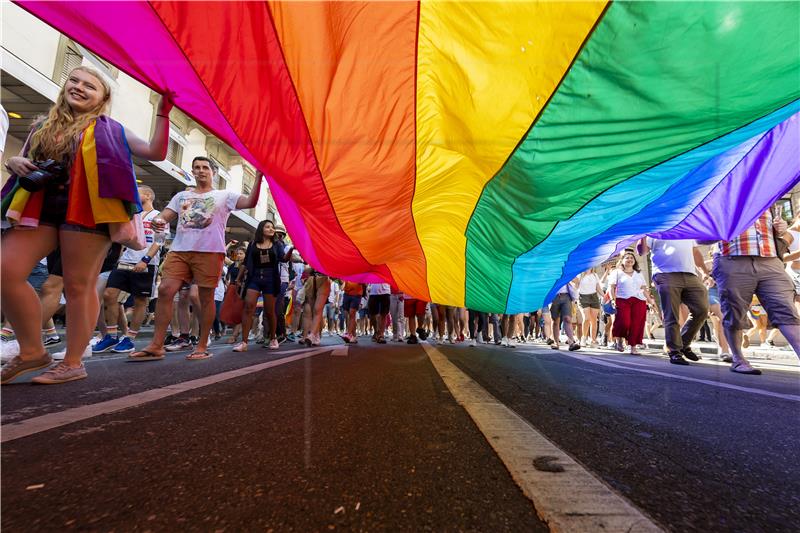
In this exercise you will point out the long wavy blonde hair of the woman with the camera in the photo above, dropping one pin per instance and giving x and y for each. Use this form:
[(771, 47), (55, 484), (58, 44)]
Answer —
[(60, 130)]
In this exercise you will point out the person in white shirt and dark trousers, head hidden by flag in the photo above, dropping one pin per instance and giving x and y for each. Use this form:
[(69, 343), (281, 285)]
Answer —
[(675, 264)]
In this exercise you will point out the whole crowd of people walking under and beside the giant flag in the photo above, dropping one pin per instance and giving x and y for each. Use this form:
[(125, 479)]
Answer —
[(191, 292)]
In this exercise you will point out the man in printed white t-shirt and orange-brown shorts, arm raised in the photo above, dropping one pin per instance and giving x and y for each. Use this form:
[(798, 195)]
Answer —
[(197, 253)]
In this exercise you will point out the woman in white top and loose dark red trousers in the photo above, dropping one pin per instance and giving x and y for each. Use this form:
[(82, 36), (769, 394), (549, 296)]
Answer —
[(629, 293)]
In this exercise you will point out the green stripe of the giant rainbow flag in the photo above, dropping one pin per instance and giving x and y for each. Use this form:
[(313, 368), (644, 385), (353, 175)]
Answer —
[(655, 79)]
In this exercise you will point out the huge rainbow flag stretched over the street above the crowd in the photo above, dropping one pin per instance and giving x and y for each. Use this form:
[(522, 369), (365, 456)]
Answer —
[(479, 153)]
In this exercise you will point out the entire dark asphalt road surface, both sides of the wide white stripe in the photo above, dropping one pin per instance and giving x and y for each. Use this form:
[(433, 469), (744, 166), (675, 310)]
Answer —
[(374, 441)]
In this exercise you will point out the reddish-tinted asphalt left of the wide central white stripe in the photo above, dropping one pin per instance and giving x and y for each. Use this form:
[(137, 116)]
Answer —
[(371, 441)]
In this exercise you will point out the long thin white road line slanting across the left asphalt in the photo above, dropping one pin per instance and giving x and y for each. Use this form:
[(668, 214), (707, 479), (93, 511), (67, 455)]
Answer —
[(38, 424)]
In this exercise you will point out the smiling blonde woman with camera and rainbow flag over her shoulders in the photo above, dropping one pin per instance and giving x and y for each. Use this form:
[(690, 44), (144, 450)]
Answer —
[(79, 145)]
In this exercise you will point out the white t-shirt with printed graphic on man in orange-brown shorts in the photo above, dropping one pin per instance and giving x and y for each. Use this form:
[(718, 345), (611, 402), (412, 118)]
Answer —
[(201, 220)]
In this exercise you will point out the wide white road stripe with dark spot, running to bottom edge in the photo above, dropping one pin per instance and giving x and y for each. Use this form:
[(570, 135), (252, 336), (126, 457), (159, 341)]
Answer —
[(566, 495)]
